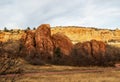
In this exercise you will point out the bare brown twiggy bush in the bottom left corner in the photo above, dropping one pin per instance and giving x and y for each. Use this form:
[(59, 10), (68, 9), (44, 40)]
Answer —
[(10, 65)]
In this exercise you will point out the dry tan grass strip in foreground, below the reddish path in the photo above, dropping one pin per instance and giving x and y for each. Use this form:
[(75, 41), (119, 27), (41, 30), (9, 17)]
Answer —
[(78, 77)]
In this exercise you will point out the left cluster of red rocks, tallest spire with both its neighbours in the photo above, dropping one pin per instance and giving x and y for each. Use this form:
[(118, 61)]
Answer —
[(40, 45)]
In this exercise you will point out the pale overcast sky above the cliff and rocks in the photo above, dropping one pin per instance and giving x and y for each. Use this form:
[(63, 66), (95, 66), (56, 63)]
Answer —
[(32, 13)]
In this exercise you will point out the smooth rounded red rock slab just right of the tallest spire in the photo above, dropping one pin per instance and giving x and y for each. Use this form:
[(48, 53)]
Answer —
[(63, 42)]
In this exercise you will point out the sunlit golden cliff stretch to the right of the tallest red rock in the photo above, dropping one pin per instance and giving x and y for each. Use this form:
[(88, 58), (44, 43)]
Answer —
[(77, 34)]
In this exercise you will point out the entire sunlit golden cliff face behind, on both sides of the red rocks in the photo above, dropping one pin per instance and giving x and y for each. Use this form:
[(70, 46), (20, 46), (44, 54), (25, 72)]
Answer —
[(76, 34)]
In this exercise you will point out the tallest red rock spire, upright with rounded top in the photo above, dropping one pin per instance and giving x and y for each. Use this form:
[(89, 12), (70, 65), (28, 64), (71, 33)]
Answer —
[(44, 44)]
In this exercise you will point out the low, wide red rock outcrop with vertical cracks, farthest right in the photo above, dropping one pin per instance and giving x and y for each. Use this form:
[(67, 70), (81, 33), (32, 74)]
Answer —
[(90, 52)]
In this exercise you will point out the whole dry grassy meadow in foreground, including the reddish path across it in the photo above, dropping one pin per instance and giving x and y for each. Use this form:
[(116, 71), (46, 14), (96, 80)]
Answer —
[(52, 73)]
